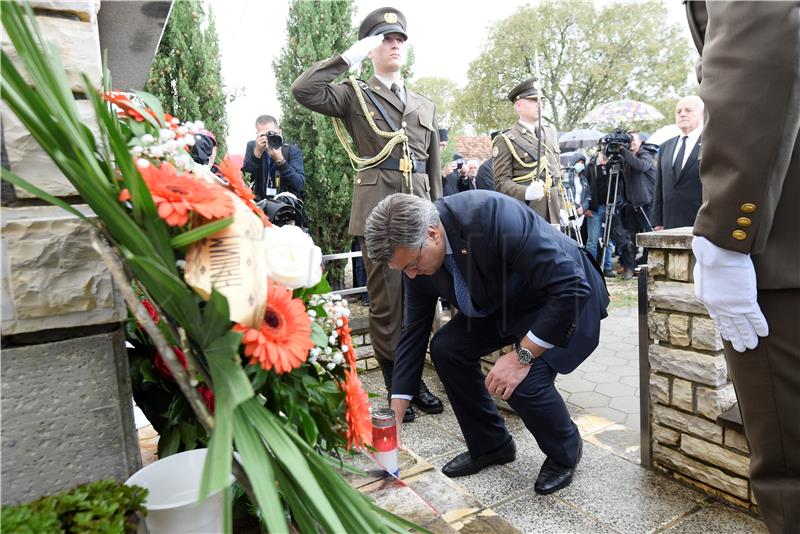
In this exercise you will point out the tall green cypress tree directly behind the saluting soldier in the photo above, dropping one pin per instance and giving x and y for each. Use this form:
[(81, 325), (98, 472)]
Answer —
[(317, 30)]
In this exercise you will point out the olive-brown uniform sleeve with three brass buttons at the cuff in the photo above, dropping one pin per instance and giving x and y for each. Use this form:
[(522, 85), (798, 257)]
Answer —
[(751, 90)]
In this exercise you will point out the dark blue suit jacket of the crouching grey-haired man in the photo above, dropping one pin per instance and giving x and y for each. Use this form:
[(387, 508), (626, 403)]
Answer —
[(522, 272)]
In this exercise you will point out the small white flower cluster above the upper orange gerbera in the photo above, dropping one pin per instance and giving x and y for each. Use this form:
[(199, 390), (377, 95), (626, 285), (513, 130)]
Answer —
[(173, 144)]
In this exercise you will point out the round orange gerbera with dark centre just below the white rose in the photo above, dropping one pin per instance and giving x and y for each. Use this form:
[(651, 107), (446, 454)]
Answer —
[(283, 341)]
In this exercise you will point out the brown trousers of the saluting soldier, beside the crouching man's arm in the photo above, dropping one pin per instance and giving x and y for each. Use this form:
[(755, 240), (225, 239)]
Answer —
[(385, 290)]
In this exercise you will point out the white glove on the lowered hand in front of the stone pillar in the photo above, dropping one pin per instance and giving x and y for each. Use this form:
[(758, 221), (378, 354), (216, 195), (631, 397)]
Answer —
[(725, 281)]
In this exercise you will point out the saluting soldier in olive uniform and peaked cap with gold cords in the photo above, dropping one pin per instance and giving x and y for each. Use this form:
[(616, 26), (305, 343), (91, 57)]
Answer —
[(396, 151)]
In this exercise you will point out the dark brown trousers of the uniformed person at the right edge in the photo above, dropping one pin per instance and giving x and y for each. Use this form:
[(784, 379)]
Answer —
[(767, 383)]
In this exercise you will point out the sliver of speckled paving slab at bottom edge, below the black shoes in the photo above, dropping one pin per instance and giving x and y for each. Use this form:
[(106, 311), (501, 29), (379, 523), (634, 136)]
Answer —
[(547, 514)]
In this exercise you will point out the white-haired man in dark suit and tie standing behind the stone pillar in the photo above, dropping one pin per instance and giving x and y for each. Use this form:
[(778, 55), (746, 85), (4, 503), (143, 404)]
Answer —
[(678, 190)]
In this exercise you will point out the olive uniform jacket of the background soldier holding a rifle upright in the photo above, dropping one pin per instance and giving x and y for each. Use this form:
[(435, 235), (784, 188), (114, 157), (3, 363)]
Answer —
[(506, 167)]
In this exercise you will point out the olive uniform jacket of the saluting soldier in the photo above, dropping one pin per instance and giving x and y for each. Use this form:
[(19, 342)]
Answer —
[(315, 90)]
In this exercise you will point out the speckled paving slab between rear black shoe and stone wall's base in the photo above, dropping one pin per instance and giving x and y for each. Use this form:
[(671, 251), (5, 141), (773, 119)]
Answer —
[(622, 495)]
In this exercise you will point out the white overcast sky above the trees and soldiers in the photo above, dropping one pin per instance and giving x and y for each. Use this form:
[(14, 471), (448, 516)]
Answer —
[(446, 35)]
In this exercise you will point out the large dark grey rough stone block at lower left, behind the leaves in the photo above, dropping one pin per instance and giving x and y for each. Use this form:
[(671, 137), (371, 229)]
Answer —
[(67, 416)]
